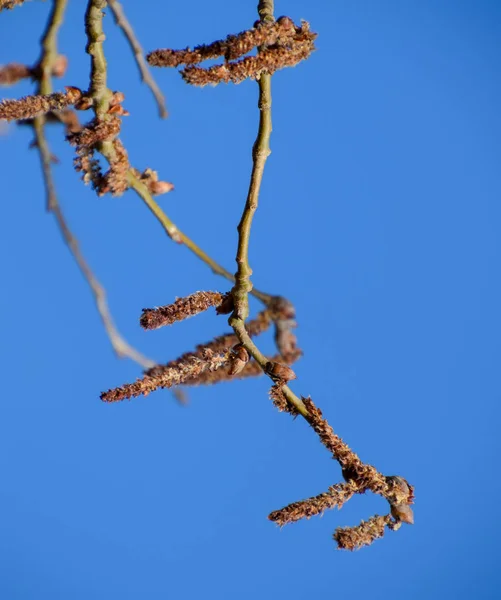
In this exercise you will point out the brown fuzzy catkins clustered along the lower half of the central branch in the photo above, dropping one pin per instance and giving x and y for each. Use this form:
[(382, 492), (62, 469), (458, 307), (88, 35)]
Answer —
[(225, 359)]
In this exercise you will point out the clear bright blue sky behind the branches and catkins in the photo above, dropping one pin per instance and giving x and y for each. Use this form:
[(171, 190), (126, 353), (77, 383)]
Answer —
[(379, 218)]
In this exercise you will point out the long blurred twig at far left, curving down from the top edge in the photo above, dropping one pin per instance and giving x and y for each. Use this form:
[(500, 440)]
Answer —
[(49, 55)]
